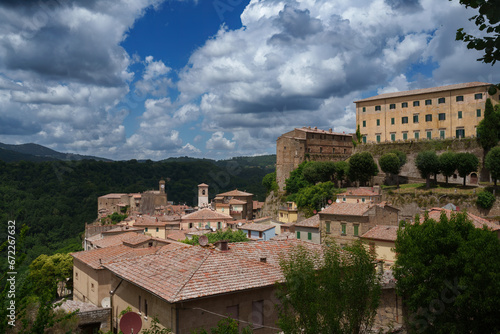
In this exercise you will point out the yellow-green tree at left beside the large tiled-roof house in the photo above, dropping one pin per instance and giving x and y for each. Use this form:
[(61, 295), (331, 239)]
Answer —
[(52, 270)]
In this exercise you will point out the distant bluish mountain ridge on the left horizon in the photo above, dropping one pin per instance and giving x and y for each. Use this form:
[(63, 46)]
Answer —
[(37, 153)]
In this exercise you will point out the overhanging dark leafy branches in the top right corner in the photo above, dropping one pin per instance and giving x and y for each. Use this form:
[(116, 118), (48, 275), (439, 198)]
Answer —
[(487, 21)]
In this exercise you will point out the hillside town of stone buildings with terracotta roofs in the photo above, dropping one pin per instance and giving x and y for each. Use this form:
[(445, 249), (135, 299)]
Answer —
[(142, 265)]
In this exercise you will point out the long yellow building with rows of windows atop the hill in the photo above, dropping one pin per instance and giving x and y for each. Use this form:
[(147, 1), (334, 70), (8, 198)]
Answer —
[(432, 113)]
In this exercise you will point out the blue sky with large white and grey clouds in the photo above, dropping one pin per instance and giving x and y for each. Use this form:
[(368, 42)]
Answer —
[(152, 79)]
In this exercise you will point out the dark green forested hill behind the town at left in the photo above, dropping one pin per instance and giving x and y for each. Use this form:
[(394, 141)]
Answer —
[(56, 198)]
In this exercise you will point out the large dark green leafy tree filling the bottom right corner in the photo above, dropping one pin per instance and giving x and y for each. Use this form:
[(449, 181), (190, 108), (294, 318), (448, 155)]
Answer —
[(448, 274)]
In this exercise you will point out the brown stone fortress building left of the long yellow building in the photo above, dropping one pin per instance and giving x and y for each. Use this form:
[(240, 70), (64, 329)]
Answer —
[(300, 144)]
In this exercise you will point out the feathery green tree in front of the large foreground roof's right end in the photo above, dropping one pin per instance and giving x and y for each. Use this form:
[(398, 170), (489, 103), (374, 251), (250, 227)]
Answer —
[(337, 292)]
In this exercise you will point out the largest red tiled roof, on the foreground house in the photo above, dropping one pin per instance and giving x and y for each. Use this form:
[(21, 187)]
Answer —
[(194, 272)]
